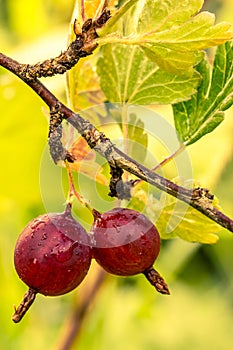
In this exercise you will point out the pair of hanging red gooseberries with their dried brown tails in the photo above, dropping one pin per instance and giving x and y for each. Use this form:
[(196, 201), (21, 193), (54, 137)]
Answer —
[(53, 253)]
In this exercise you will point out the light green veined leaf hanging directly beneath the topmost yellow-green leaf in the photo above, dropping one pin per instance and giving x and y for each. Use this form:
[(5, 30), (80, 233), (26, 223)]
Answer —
[(127, 75)]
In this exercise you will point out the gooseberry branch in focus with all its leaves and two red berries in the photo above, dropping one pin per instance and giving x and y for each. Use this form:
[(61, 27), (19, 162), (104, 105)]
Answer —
[(123, 54)]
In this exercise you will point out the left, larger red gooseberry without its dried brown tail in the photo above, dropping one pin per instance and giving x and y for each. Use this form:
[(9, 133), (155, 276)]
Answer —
[(53, 254)]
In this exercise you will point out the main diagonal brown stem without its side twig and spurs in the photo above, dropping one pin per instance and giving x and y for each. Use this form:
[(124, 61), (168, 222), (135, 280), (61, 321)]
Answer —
[(200, 200)]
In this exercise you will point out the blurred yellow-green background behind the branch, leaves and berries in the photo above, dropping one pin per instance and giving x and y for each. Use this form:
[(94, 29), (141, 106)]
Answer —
[(127, 313)]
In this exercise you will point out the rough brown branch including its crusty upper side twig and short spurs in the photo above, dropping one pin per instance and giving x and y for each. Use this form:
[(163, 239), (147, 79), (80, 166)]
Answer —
[(82, 46)]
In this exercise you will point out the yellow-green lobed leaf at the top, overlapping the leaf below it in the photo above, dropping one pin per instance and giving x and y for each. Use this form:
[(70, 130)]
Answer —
[(171, 33)]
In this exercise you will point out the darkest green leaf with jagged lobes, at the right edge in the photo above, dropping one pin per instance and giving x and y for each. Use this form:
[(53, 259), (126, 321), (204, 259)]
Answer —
[(205, 110)]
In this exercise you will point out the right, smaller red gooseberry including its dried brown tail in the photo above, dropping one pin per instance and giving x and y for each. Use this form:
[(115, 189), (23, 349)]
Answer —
[(126, 243)]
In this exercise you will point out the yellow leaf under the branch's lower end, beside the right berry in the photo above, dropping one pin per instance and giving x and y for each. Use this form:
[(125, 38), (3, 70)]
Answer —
[(174, 218)]
